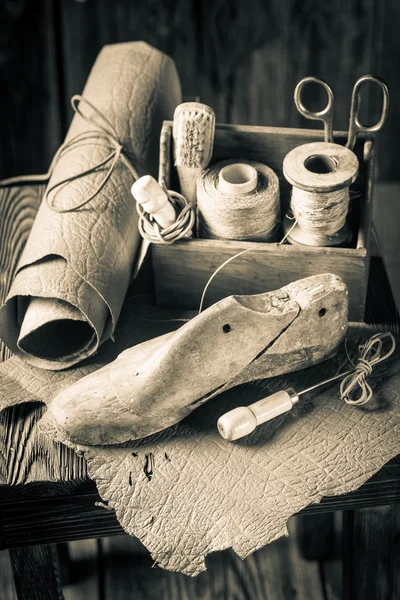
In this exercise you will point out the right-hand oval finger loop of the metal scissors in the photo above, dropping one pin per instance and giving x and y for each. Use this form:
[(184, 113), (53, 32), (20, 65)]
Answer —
[(355, 127)]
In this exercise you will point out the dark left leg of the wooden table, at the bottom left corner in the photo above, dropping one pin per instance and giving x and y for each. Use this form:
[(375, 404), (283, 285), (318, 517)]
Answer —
[(36, 573)]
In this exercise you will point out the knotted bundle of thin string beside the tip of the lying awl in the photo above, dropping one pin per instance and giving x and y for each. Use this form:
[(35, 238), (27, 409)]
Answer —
[(370, 355)]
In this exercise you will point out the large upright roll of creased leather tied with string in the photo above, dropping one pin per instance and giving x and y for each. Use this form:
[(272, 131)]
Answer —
[(85, 257)]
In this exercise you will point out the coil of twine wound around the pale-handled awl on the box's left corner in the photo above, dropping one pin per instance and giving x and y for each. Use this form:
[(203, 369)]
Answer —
[(151, 231)]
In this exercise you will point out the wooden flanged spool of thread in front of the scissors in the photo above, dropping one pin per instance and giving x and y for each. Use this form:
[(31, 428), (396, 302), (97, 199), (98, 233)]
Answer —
[(321, 174)]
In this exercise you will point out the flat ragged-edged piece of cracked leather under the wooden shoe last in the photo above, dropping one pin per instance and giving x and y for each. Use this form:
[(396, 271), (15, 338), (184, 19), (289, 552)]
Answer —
[(207, 494)]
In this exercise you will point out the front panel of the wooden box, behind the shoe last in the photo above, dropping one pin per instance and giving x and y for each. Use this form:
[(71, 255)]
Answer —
[(182, 270)]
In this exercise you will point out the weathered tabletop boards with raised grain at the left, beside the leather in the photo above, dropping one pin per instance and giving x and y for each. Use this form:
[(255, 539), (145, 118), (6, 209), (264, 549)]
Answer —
[(24, 454)]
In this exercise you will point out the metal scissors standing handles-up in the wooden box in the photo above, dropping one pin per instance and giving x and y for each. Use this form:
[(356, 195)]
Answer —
[(326, 115)]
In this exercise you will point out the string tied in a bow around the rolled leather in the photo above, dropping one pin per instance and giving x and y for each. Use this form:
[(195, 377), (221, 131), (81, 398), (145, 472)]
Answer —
[(105, 136)]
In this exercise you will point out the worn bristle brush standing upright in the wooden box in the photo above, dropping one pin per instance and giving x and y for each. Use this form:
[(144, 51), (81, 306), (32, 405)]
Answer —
[(193, 133)]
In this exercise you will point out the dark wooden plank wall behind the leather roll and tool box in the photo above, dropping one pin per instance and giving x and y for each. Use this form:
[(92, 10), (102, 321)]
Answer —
[(243, 57)]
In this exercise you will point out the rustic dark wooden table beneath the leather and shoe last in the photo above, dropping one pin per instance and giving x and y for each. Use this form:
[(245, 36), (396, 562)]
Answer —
[(47, 498)]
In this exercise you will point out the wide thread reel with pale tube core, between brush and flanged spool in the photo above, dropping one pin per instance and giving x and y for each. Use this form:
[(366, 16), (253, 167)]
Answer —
[(239, 201)]
